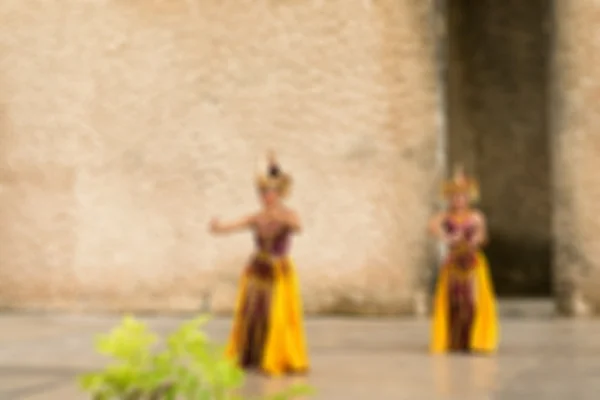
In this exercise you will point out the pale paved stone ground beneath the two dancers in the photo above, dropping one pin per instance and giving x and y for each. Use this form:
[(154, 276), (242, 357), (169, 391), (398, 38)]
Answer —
[(353, 359)]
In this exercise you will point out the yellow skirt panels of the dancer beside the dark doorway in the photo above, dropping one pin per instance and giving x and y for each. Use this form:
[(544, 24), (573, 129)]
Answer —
[(484, 328)]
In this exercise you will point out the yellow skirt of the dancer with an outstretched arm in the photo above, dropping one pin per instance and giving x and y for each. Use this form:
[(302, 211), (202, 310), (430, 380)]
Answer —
[(282, 345)]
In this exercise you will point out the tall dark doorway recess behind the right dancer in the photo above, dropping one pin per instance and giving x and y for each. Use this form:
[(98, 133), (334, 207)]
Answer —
[(497, 100)]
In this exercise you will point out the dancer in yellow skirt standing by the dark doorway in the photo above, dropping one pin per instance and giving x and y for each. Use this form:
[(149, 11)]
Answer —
[(465, 317)]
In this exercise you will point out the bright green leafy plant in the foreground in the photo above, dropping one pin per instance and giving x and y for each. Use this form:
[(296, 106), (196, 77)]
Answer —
[(186, 366)]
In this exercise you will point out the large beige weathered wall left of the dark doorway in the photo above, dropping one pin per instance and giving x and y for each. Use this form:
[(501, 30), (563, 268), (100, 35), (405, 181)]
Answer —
[(126, 125)]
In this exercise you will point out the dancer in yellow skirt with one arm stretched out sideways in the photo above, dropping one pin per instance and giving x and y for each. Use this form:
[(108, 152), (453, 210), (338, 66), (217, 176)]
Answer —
[(268, 331)]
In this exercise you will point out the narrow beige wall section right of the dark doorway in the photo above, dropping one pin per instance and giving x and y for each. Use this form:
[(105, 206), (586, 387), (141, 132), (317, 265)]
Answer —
[(576, 119)]
